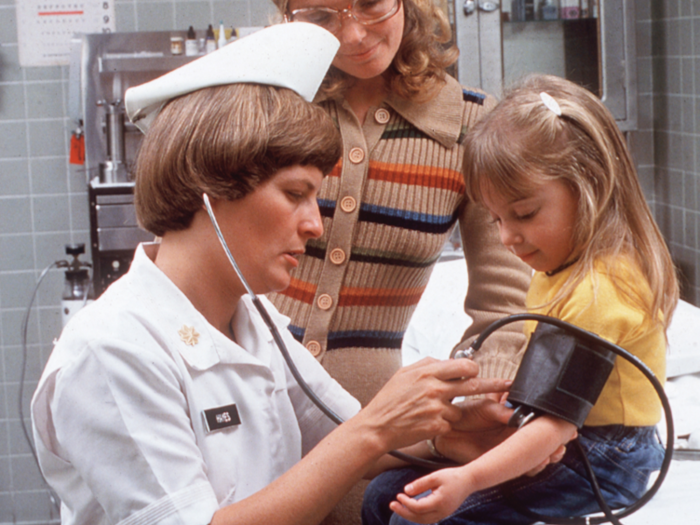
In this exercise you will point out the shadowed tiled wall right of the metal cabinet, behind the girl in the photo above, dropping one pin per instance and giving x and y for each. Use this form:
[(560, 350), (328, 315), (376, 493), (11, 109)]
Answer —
[(668, 39)]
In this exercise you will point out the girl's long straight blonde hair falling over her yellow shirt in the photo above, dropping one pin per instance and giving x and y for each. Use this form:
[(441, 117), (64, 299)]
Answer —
[(522, 142)]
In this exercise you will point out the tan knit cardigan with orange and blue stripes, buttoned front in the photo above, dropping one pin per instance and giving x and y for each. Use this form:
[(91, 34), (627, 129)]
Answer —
[(388, 208)]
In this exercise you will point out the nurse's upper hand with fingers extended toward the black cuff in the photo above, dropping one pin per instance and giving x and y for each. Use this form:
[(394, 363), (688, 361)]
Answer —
[(416, 403)]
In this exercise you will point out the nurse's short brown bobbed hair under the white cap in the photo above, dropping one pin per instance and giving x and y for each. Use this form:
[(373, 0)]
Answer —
[(225, 141)]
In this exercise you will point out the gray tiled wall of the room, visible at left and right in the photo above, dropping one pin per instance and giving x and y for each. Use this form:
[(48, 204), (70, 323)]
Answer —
[(43, 201)]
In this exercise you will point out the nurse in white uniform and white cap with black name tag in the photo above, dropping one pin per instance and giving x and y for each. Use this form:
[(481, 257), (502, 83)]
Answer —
[(166, 400)]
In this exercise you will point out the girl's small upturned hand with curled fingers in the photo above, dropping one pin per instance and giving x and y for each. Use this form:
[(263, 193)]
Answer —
[(448, 490)]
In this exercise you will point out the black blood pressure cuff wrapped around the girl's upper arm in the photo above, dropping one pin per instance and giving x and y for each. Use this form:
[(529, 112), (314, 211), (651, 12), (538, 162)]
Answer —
[(560, 374)]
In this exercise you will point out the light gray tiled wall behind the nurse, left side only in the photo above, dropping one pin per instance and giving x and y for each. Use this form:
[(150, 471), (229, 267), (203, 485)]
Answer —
[(43, 206)]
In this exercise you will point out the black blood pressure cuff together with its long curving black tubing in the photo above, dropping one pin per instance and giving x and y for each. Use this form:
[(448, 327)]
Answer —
[(558, 387)]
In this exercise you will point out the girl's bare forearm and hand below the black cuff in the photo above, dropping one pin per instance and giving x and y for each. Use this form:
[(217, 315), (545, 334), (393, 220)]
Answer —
[(519, 454)]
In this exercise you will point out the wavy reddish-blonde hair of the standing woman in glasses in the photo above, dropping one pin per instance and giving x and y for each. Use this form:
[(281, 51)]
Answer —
[(418, 70)]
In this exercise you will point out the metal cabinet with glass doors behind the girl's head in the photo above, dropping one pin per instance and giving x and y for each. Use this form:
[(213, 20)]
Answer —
[(588, 41)]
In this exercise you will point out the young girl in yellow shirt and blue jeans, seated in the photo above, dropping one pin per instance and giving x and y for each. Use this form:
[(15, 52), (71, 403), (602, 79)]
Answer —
[(552, 168)]
